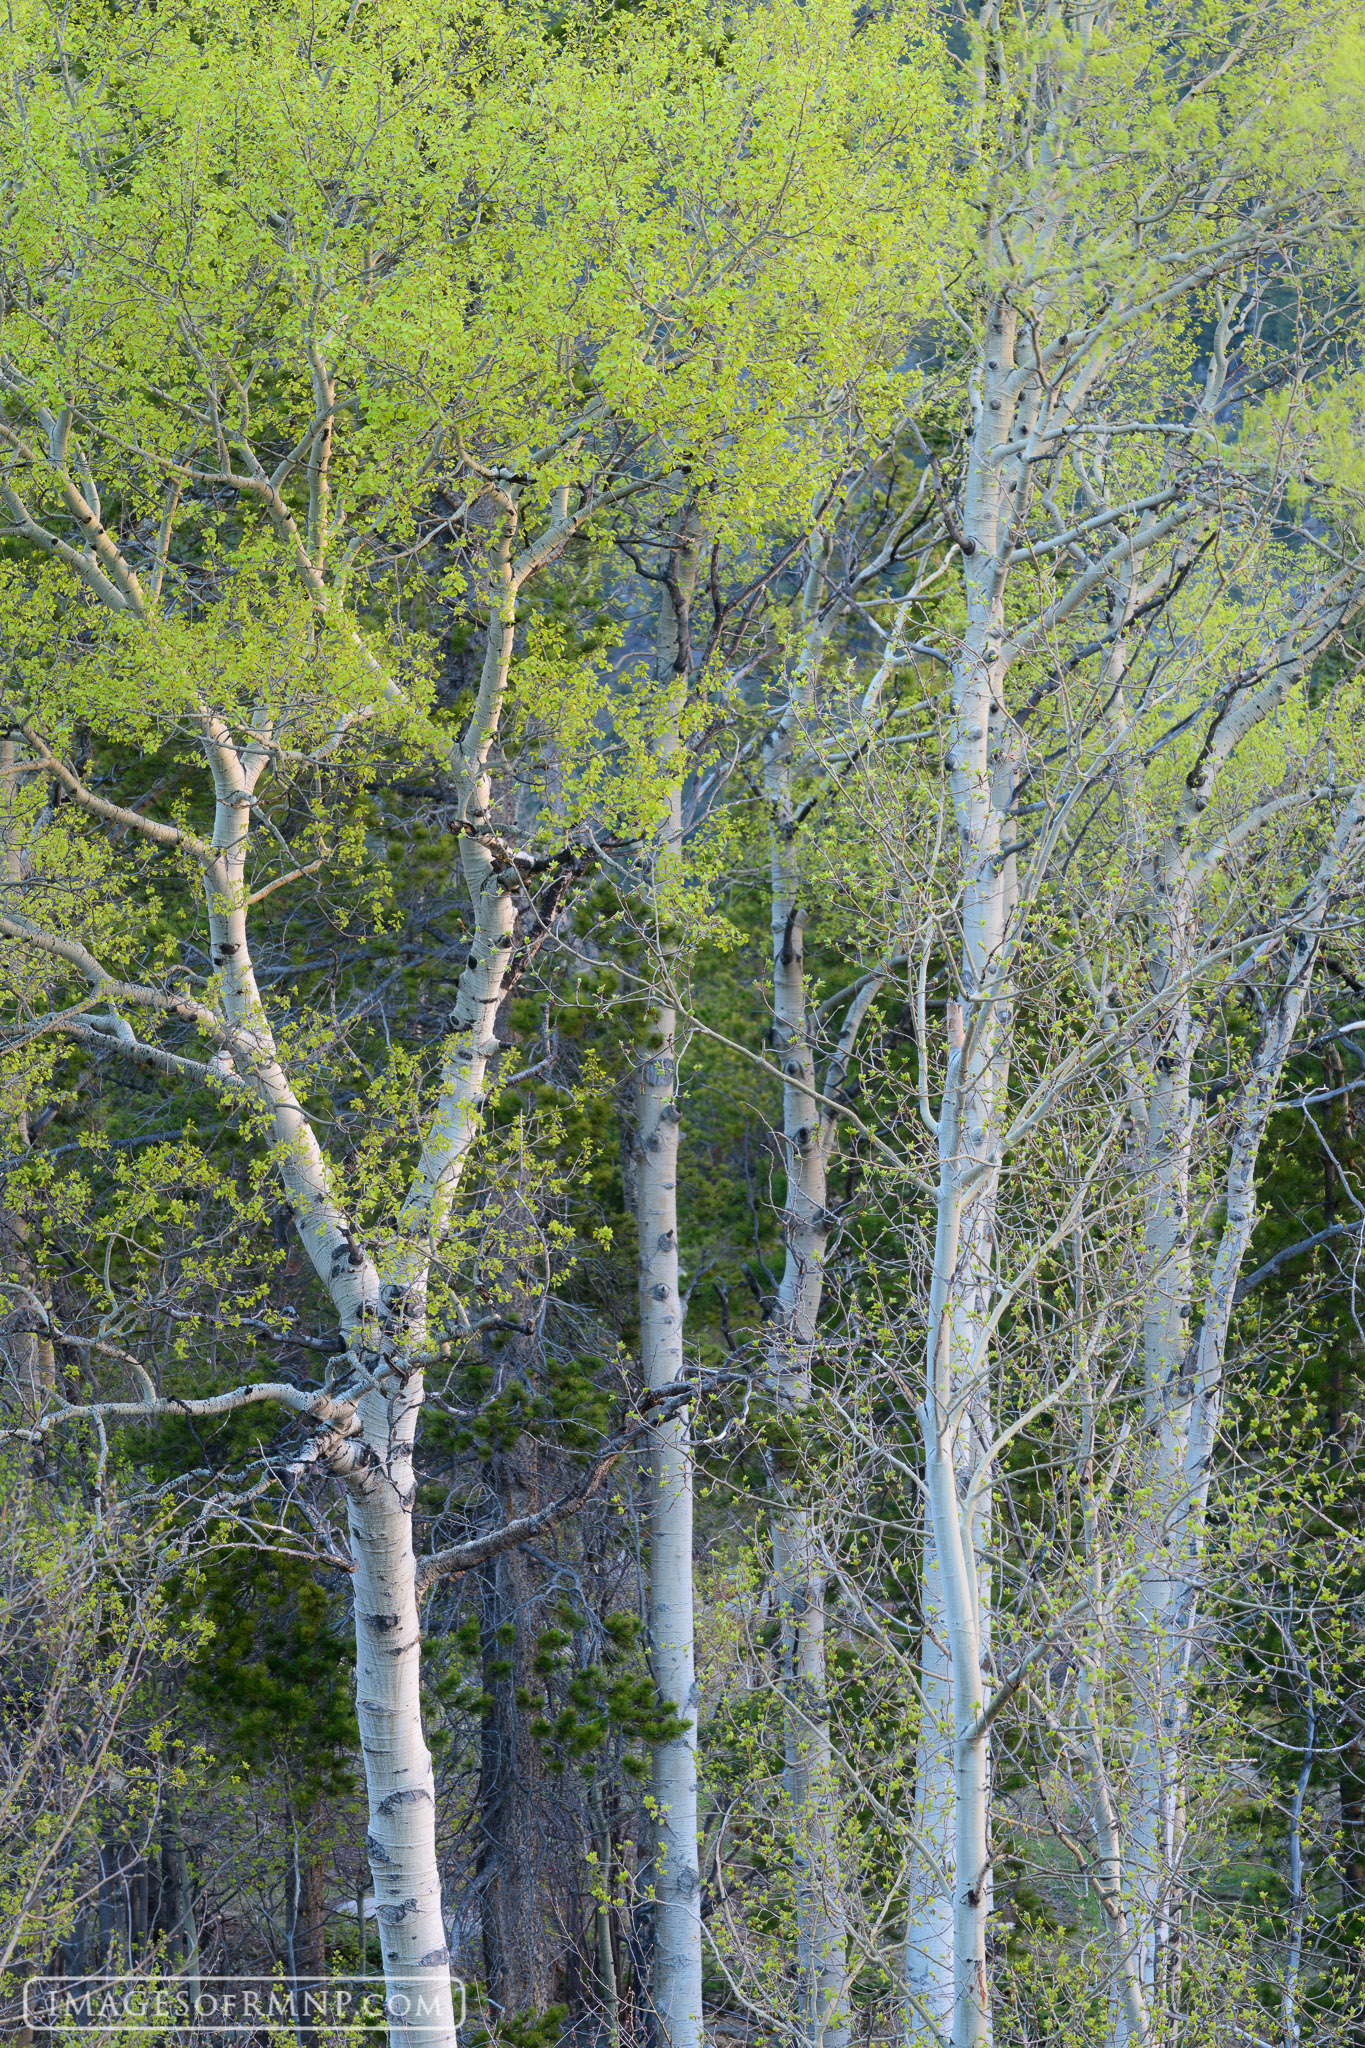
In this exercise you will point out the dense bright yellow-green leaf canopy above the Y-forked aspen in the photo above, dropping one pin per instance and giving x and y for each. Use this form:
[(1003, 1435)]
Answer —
[(476, 241)]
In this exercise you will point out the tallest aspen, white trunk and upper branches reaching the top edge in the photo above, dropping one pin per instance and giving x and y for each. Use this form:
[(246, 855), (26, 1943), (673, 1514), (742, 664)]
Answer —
[(1077, 275)]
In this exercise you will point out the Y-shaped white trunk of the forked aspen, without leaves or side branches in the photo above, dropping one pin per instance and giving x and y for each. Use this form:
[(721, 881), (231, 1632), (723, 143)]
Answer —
[(386, 1324)]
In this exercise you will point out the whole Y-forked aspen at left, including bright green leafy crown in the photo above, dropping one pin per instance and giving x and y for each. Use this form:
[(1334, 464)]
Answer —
[(243, 378)]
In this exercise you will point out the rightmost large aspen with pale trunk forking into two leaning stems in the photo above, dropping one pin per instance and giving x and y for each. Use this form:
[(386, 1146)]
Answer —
[(1188, 873)]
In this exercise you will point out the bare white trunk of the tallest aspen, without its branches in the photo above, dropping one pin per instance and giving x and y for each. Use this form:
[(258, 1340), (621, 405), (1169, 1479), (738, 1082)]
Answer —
[(955, 1752)]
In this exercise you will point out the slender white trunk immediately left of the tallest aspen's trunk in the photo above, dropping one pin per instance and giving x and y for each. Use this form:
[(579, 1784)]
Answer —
[(799, 1574)]
